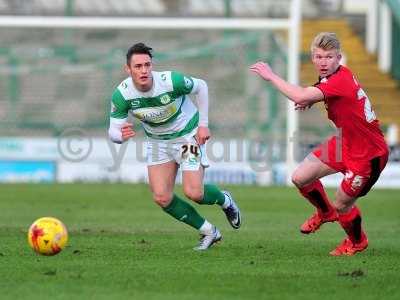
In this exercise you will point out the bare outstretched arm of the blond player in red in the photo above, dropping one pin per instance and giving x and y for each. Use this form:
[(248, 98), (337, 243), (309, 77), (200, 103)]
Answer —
[(302, 97)]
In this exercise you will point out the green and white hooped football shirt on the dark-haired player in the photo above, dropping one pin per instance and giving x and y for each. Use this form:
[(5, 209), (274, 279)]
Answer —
[(166, 112)]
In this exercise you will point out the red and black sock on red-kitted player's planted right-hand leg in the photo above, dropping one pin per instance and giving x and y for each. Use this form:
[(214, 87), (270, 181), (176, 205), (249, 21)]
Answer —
[(351, 223)]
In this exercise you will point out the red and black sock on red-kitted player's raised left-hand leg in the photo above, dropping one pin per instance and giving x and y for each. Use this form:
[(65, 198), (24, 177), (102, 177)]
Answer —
[(316, 194)]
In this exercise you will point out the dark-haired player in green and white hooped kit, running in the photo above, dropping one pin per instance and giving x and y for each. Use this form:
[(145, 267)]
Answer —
[(177, 131)]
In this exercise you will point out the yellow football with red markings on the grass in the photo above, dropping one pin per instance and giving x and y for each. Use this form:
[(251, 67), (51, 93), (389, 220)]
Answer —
[(47, 236)]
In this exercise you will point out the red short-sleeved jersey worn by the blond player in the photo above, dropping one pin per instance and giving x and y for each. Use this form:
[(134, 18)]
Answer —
[(350, 109)]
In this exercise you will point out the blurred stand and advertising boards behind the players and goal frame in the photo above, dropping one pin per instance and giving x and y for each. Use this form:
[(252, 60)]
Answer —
[(56, 83)]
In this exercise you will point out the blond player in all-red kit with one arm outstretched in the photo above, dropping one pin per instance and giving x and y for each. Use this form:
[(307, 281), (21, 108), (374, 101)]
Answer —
[(359, 150)]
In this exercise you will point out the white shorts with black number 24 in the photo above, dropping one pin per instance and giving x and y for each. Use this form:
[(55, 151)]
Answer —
[(186, 152)]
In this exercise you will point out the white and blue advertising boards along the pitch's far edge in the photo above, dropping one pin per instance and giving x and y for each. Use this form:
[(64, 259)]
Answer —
[(99, 160)]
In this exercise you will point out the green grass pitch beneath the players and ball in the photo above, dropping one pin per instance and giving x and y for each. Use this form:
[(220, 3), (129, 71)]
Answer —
[(122, 246)]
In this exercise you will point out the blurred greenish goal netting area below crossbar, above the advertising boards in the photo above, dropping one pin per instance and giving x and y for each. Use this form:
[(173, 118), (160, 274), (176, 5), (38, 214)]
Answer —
[(52, 79)]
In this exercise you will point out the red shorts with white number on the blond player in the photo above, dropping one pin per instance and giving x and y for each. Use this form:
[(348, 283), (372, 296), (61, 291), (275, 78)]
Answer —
[(360, 175)]
